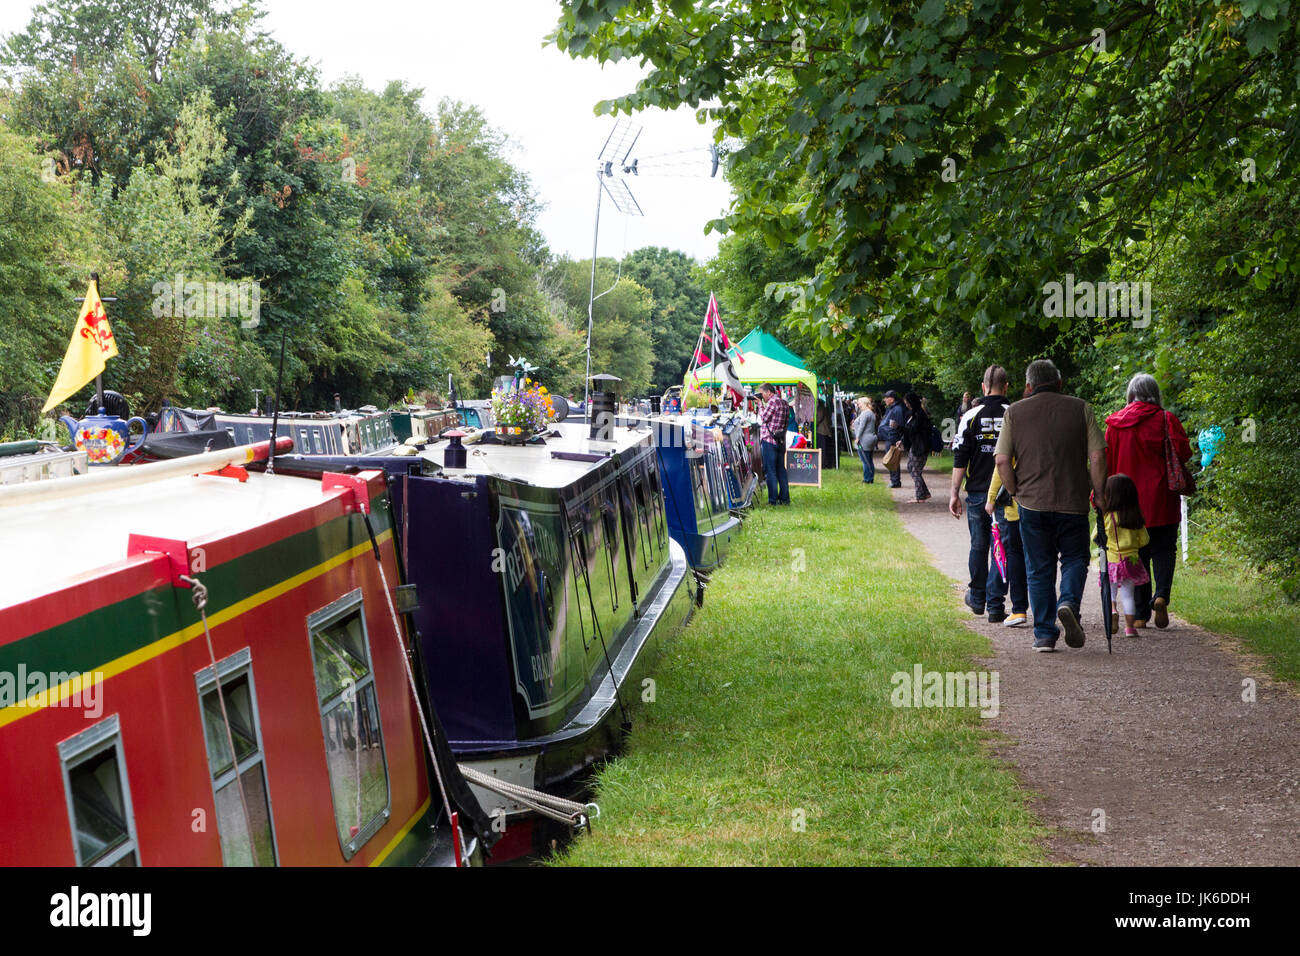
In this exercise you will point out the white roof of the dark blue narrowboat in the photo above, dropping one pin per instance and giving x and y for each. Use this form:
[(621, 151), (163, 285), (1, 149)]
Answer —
[(534, 464)]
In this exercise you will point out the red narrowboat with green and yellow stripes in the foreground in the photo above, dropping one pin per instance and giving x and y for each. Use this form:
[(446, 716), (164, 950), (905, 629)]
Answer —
[(209, 669)]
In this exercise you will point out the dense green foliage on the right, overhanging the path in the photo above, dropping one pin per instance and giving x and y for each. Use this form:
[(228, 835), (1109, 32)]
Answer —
[(913, 178)]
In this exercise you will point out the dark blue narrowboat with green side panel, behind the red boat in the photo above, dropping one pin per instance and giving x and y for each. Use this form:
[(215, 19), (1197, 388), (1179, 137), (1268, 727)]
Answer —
[(547, 579)]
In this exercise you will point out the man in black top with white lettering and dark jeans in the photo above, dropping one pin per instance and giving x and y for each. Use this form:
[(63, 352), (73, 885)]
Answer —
[(974, 464)]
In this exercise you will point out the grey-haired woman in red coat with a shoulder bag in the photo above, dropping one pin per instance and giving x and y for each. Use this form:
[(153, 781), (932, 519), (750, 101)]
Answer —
[(1136, 447)]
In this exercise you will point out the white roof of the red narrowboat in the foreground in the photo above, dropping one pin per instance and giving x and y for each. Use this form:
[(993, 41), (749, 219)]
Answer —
[(51, 544)]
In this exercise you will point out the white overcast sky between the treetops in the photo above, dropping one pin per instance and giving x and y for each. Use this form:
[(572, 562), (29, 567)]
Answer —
[(492, 54)]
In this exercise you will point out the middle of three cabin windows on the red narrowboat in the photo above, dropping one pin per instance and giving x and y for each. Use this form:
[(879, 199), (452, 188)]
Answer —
[(239, 846)]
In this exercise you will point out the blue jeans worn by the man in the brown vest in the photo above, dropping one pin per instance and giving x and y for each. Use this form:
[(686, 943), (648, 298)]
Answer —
[(1051, 538)]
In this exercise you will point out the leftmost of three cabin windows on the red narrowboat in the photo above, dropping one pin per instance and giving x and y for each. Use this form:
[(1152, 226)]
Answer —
[(99, 798)]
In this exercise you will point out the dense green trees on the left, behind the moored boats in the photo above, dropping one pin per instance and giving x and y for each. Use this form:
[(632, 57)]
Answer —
[(391, 244)]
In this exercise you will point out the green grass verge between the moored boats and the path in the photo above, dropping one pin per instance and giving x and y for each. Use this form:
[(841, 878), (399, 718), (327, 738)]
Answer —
[(772, 738)]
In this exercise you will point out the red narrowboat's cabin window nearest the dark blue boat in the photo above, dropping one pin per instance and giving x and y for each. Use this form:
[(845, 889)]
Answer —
[(350, 720)]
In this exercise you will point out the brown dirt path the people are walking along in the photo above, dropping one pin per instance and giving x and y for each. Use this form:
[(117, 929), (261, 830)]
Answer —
[(1156, 736)]
